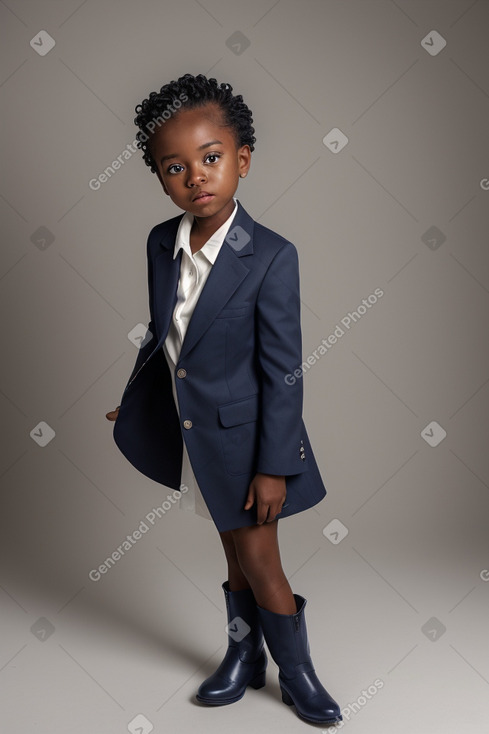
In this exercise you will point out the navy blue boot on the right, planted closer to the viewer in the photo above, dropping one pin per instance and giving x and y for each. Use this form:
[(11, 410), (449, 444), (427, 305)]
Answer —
[(286, 638)]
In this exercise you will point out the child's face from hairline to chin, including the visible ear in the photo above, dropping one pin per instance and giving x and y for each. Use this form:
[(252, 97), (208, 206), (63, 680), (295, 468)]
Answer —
[(194, 153)]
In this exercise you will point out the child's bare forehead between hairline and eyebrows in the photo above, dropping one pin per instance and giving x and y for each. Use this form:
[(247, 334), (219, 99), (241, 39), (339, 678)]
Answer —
[(190, 128)]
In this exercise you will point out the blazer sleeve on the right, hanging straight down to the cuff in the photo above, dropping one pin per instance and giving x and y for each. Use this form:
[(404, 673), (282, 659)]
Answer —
[(279, 352)]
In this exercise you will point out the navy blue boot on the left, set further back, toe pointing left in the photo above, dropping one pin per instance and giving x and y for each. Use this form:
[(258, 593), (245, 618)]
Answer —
[(245, 661)]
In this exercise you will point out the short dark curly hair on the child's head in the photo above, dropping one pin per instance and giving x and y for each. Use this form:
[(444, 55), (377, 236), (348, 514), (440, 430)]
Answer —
[(190, 92)]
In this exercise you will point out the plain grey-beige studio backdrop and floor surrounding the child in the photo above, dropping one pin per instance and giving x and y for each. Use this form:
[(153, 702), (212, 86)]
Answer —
[(79, 655)]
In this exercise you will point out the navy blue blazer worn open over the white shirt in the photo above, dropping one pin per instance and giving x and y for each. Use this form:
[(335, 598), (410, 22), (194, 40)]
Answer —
[(240, 411)]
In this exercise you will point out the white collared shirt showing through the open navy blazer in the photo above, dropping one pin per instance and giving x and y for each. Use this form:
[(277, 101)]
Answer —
[(194, 271)]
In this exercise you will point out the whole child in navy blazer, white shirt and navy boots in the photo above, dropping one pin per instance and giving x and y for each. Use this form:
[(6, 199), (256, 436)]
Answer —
[(214, 403)]
